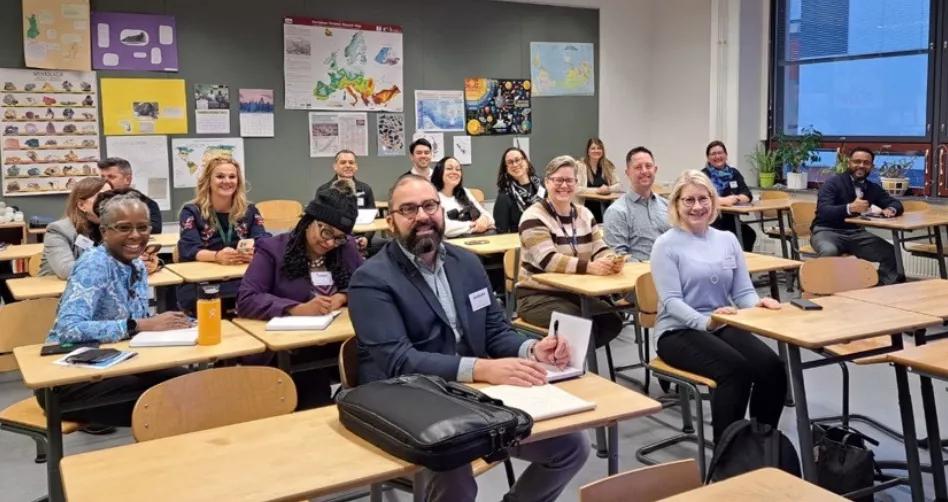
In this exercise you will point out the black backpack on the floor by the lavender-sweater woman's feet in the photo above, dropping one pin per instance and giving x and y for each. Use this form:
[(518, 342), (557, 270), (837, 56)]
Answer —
[(747, 445)]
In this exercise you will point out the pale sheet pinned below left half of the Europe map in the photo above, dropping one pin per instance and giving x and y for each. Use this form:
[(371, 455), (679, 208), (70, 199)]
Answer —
[(330, 132)]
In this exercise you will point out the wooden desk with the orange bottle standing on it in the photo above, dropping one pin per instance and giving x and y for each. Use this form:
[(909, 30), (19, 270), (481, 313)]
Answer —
[(39, 373)]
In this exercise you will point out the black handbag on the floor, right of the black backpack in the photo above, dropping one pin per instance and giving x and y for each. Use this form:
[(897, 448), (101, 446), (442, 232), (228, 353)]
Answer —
[(843, 462)]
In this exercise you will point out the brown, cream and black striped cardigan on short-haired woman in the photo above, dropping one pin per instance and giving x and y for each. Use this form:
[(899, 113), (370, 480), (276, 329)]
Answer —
[(546, 243)]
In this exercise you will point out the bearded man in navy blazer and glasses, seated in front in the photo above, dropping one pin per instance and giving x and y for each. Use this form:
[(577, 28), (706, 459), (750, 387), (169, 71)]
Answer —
[(420, 306)]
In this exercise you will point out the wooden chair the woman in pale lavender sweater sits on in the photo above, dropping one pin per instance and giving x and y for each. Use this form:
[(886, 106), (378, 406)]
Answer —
[(646, 297)]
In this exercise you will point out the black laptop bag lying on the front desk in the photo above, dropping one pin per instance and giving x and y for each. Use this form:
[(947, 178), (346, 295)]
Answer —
[(430, 422)]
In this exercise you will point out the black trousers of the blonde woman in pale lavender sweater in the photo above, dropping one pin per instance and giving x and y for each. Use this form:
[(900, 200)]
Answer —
[(744, 368)]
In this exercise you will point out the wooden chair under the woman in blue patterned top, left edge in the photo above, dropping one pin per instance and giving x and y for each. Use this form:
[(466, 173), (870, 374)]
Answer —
[(27, 323)]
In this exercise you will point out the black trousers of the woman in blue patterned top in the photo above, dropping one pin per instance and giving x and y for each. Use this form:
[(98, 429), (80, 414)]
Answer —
[(119, 414)]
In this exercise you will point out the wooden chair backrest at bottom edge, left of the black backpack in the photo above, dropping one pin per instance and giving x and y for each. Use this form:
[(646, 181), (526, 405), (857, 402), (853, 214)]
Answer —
[(647, 484)]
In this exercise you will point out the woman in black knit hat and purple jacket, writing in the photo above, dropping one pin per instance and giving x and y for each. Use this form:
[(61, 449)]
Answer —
[(305, 273)]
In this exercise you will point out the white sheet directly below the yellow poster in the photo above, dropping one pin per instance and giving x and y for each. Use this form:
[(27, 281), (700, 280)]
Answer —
[(151, 167)]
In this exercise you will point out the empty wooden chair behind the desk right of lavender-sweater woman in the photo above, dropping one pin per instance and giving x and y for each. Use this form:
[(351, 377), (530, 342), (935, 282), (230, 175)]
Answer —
[(830, 275)]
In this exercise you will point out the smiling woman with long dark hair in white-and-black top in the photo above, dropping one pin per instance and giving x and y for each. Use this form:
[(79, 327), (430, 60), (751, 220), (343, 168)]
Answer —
[(463, 215)]
